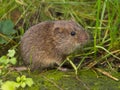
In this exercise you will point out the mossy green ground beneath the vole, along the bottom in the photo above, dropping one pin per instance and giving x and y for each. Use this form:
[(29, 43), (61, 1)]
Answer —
[(57, 80)]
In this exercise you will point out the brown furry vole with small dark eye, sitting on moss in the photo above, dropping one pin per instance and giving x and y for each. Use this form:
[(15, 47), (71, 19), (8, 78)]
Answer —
[(49, 42)]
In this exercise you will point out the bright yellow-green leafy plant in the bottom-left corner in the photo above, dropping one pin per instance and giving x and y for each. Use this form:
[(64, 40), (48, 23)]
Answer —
[(21, 82)]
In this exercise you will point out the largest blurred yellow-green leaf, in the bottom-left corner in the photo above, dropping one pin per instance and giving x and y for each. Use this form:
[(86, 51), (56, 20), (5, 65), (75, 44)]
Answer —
[(9, 85)]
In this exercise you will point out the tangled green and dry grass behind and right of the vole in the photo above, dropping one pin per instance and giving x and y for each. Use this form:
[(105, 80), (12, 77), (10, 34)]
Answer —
[(100, 17)]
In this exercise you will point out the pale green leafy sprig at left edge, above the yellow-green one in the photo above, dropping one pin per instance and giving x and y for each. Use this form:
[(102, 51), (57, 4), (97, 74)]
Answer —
[(6, 61)]
